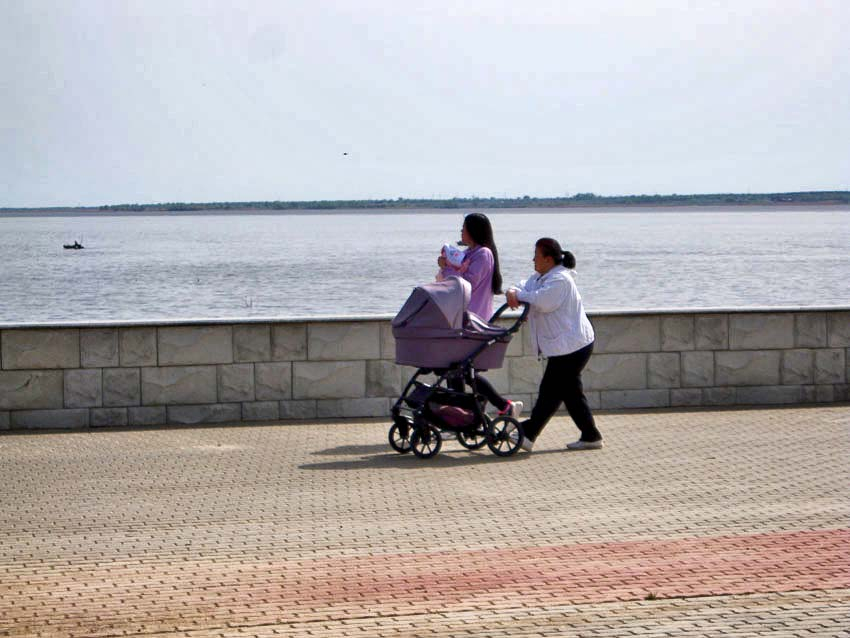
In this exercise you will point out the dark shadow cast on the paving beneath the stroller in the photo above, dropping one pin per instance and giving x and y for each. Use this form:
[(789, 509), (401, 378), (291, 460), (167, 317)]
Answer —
[(445, 459)]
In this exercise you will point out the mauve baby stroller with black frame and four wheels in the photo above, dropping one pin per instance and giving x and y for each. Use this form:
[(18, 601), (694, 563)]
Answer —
[(434, 332)]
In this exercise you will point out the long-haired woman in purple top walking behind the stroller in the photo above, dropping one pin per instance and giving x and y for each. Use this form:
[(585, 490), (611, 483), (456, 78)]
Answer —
[(480, 268)]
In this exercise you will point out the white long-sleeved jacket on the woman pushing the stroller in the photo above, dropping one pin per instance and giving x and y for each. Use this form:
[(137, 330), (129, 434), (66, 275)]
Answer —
[(557, 322)]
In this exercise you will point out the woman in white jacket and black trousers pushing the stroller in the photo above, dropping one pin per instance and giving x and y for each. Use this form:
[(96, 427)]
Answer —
[(561, 332)]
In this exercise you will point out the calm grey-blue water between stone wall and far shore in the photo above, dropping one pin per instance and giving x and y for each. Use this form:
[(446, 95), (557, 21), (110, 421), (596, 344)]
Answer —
[(153, 267)]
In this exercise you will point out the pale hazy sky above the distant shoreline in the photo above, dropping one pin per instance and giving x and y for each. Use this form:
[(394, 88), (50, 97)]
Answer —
[(146, 101)]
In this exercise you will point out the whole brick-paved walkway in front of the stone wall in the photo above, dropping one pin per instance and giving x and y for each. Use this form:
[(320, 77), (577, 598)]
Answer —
[(708, 523)]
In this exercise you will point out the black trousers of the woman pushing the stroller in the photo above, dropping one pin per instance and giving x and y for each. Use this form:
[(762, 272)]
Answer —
[(561, 383)]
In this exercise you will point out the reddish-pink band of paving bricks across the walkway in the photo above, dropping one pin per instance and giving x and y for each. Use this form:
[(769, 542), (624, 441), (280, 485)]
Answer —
[(120, 598)]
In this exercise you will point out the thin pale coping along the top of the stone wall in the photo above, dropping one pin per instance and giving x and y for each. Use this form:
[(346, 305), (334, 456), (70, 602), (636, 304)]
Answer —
[(200, 321)]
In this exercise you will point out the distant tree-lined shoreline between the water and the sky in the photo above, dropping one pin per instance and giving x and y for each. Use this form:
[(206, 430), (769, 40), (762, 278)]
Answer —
[(583, 202)]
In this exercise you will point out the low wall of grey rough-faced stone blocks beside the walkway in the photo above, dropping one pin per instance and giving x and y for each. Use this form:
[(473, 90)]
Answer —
[(78, 376)]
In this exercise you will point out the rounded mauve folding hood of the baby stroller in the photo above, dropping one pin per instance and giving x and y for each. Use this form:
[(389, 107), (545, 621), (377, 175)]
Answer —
[(435, 306)]
